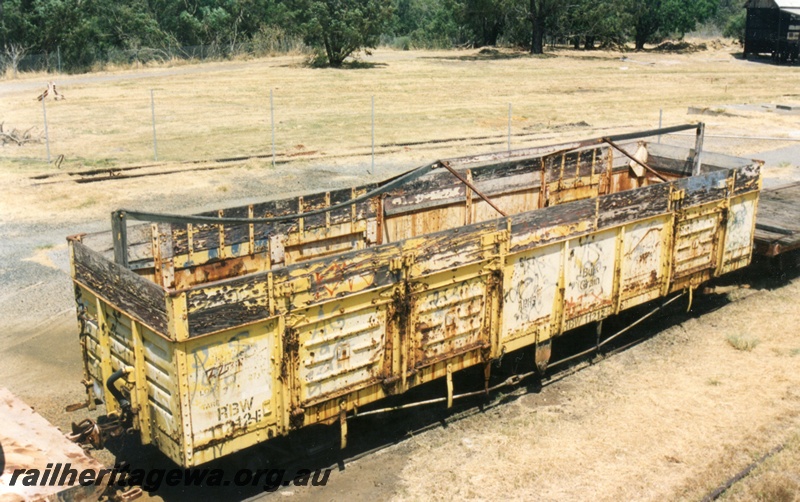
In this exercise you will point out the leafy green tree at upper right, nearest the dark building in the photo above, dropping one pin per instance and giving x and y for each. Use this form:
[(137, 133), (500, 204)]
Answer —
[(657, 18)]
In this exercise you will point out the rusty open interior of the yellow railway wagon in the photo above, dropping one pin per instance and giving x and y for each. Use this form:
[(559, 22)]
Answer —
[(177, 255)]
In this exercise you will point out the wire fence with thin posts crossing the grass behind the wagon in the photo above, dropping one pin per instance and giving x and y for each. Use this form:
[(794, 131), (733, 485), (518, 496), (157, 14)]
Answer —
[(167, 126)]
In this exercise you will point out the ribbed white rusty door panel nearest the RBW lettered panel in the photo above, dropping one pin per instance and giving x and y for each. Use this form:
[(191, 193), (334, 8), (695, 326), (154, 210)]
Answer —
[(339, 352)]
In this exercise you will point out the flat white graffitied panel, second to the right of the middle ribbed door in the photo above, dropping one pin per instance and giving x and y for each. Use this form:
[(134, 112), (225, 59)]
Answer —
[(589, 276)]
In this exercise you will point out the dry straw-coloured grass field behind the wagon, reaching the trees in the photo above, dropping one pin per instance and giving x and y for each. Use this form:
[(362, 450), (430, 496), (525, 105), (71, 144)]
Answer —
[(221, 110)]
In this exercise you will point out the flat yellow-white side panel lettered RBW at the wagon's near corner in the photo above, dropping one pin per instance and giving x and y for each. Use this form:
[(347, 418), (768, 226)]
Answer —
[(231, 383)]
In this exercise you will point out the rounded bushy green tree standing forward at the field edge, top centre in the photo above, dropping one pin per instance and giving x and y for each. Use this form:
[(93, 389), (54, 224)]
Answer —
[(342, 27)]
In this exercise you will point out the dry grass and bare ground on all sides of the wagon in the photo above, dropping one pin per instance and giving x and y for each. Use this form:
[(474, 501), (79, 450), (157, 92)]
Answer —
[(672, 418)]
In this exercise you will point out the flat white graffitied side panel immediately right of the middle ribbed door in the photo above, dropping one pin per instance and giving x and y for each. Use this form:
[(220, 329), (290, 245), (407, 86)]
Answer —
[(530, 290)]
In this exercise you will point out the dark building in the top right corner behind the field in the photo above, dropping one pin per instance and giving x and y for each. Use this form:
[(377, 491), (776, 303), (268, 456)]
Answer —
[(773, 28)]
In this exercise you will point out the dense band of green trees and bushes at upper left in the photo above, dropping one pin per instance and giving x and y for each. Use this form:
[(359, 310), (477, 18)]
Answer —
[(85, 31)]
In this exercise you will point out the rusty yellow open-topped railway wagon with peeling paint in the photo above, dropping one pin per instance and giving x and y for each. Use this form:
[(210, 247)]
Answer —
[(217, 331)]
